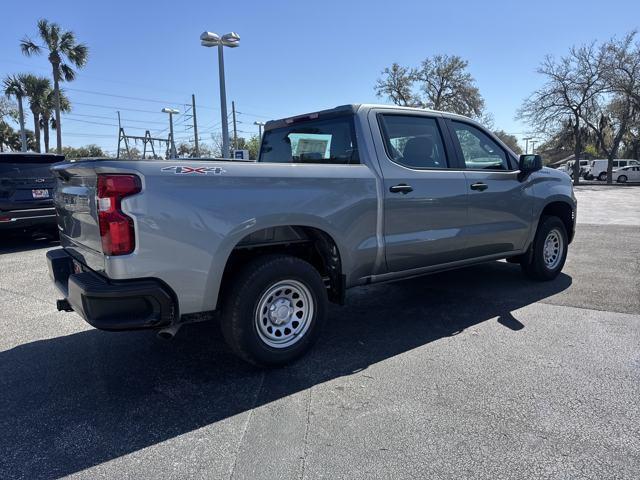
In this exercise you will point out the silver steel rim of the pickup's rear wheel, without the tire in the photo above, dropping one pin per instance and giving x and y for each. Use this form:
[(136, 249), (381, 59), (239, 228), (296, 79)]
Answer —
[(283, 313)]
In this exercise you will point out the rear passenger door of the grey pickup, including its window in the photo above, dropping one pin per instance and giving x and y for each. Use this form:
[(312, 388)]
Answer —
[(425, 200)]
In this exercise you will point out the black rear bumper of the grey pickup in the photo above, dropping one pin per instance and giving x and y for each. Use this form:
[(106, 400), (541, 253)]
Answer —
[(110, 304)]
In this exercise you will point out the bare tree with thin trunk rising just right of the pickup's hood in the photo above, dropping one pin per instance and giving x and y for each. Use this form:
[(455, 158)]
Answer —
[(572, 84)]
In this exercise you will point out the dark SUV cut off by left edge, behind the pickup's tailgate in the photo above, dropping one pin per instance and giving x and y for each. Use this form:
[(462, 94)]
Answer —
[(26, 191)]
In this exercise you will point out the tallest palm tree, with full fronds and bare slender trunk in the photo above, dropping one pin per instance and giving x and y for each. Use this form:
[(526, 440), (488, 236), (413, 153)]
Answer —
[(61, 45)]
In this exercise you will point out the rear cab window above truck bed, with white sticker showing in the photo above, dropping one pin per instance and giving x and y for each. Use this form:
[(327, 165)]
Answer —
[(316, 141)]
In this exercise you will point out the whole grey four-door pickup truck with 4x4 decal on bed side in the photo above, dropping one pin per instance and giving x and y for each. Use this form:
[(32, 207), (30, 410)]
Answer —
[(354, 195)]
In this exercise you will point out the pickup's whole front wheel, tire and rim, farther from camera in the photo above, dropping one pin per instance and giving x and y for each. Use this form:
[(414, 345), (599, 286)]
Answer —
[(548, 252)]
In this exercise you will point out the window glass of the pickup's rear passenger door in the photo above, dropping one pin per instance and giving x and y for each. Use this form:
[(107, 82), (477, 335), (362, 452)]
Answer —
[(413, 141)]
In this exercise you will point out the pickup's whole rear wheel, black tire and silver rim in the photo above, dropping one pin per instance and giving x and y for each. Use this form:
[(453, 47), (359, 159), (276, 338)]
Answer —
[(274, 310)]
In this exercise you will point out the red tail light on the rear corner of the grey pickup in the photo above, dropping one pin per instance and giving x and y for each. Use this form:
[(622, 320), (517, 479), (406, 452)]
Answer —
[(116, 229)]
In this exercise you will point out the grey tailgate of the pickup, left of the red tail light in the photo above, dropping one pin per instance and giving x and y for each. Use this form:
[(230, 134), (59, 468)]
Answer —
[(76, 210)]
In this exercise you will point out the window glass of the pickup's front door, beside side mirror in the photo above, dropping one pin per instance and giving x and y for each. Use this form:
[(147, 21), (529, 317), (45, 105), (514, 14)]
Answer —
[(478, 149)]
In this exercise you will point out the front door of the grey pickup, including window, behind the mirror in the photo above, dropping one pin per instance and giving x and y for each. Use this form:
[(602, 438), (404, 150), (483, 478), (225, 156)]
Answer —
[(500, 205)]
